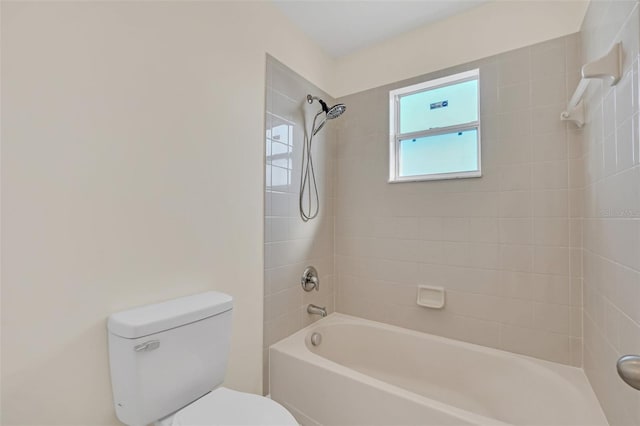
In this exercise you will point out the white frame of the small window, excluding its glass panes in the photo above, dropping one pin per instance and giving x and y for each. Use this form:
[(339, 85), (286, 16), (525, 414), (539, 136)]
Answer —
[(394, 127)]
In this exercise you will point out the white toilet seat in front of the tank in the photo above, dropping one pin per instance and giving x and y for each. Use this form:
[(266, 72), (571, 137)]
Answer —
[(228, 407)]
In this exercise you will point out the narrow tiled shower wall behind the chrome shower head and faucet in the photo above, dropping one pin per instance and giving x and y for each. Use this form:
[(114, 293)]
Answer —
[(290, 243)]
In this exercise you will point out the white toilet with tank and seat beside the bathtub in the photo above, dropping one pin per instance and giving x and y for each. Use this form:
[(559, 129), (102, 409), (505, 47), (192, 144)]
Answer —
[(167, 361)]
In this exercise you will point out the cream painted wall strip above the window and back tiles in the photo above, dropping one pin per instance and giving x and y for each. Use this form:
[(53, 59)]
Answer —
[(492, 28)]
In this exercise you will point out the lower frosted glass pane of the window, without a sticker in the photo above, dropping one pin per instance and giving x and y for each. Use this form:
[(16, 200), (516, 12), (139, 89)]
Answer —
[(449, 153)]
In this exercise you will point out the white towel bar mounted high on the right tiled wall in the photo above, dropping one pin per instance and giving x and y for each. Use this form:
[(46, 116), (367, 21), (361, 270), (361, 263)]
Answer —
[(607, 67)]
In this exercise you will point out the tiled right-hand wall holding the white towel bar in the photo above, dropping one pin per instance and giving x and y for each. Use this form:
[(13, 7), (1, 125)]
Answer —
[(612, 210)]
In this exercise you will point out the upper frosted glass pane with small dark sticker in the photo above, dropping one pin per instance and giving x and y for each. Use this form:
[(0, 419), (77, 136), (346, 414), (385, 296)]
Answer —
[(441, 107)]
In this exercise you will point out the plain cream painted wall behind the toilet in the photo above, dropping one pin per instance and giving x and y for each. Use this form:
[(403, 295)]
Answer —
[(132, 172)]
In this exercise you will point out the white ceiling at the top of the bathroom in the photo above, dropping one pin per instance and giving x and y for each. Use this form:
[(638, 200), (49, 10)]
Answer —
[(344, 26)]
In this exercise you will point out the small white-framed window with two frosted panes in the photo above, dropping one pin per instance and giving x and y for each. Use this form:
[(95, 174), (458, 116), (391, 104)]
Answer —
[(435, 129)]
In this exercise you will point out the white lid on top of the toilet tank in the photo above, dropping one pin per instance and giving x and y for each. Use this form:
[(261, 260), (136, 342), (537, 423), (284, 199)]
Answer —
[(150, 319)]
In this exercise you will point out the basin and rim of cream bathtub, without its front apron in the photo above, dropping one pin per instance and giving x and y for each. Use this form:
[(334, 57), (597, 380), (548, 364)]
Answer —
[(487, 382)]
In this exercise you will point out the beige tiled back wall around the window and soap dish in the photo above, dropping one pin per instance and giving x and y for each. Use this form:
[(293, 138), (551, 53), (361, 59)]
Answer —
[(506, 247)]
